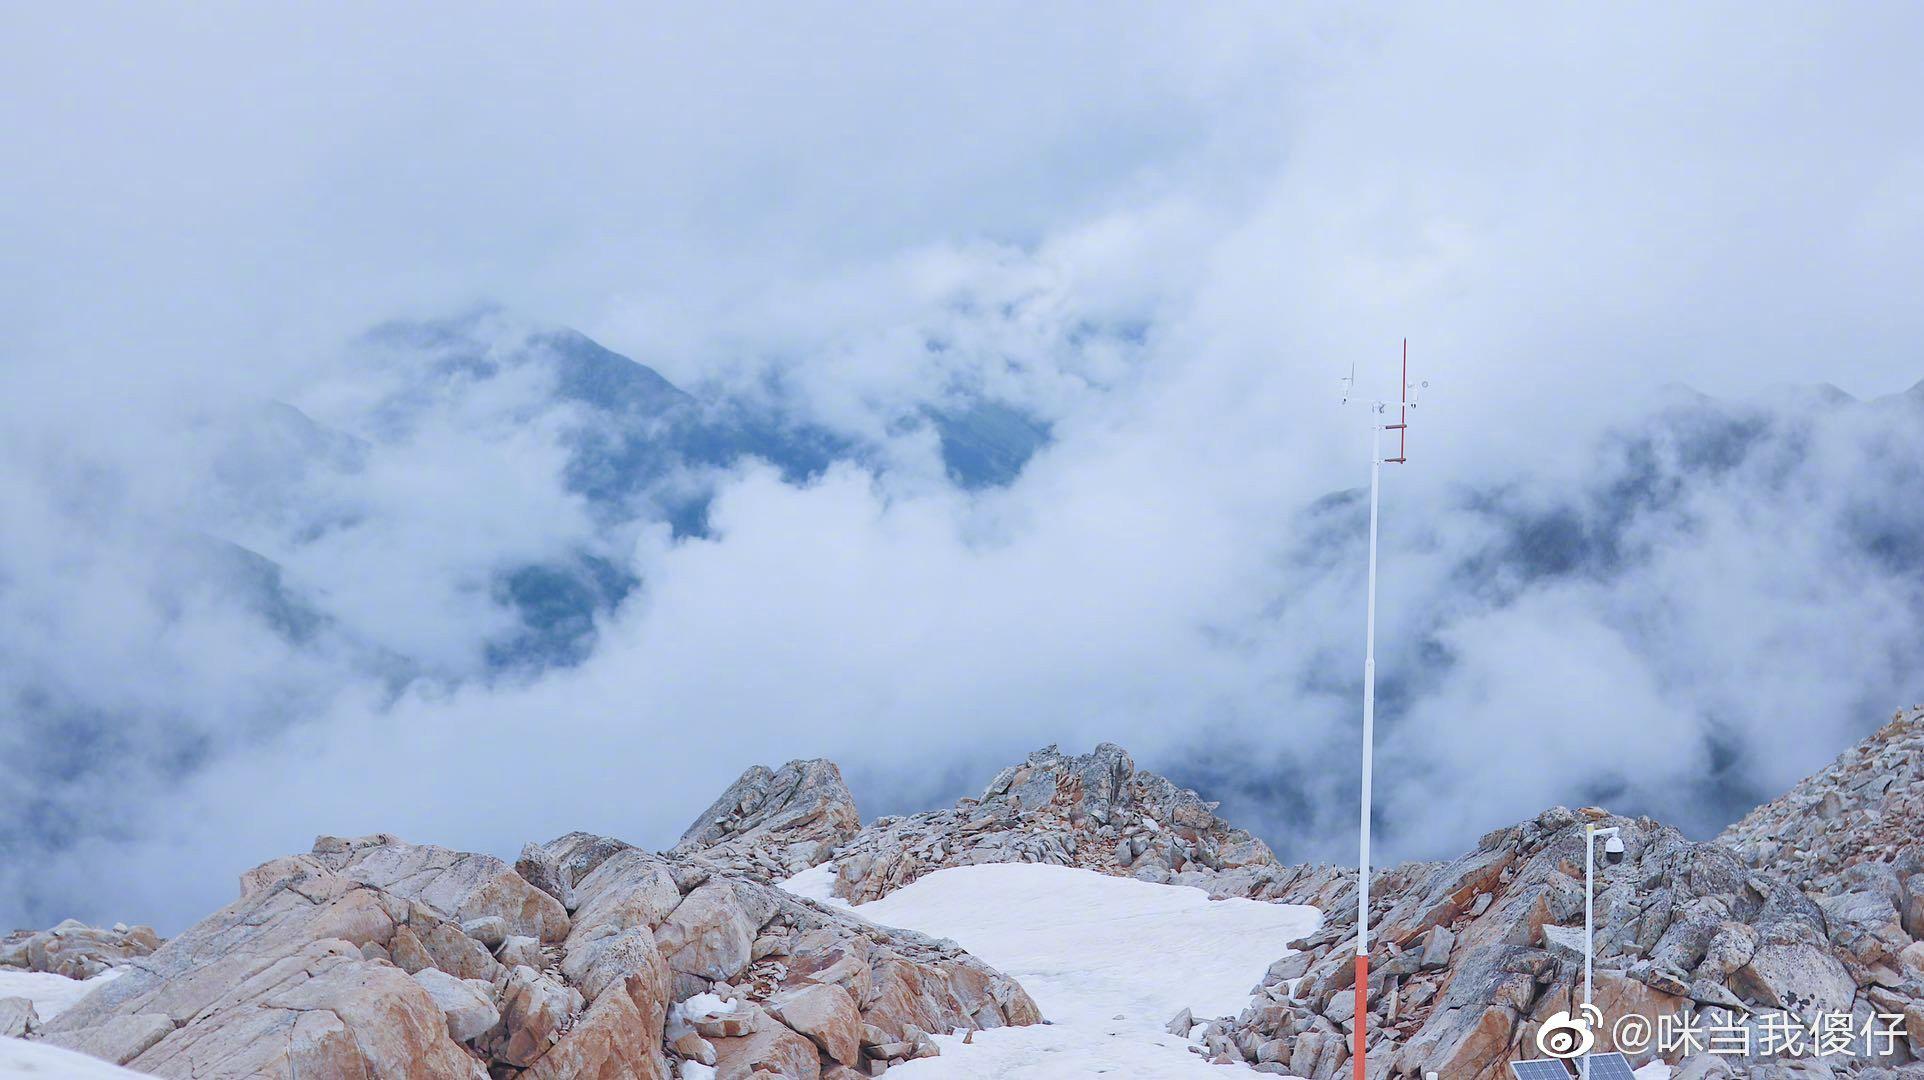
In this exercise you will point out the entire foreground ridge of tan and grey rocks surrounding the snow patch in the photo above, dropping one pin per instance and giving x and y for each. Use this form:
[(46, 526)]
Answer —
[(592, 958)]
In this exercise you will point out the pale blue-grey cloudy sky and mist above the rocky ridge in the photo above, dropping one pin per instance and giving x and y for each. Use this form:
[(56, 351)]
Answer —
[(1167, 230)]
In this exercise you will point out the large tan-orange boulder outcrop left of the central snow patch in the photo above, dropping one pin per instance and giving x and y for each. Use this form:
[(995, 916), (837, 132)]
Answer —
[(380, 958)]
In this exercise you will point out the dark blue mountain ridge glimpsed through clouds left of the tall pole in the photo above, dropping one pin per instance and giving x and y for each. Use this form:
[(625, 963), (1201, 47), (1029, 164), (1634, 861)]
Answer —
[(634, 455)]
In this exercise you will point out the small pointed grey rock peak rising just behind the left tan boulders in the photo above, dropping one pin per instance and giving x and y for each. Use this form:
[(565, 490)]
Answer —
[(774, 825)]
